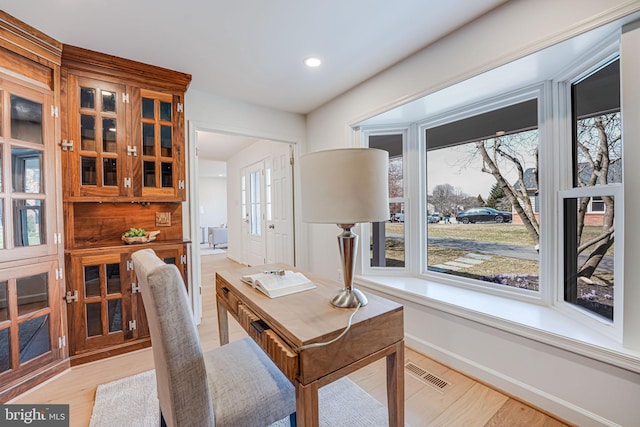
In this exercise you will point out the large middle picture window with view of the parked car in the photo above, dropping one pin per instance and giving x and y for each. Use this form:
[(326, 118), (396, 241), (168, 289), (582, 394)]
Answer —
[(481, 178)]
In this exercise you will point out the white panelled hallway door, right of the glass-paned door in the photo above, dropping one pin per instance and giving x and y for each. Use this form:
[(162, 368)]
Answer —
[(279, 206)]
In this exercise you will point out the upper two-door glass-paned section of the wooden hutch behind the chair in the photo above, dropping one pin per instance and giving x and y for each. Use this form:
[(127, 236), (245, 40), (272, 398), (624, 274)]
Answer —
[(123, 137)]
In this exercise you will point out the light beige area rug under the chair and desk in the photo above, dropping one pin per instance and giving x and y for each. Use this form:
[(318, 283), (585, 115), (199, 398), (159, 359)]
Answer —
[(132, 402)]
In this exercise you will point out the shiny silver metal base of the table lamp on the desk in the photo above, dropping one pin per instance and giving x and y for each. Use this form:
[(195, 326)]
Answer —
[(348, 297)]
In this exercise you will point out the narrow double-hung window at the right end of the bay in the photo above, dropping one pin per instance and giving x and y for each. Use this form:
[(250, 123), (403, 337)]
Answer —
[(591, 206)]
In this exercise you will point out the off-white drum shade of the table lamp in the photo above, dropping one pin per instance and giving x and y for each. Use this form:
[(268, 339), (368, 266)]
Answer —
[(345, 186)]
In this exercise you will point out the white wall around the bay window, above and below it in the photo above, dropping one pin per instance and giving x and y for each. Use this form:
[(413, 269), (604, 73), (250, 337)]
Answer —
[(579, 389)]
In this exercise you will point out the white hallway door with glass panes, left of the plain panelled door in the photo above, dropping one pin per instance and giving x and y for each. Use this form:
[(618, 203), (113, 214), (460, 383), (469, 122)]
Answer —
[(254, 214)]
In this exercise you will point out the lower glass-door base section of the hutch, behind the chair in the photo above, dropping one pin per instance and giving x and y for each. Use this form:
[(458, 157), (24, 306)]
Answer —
[(104, 302)]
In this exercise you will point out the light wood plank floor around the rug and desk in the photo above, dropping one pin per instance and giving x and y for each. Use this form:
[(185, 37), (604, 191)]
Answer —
[(464, 402)]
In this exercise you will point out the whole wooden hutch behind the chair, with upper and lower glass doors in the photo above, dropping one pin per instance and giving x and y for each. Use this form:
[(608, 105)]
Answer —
[(122, 167)]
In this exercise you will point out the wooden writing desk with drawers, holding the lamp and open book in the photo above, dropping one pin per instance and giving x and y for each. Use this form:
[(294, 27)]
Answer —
[(308, 317)]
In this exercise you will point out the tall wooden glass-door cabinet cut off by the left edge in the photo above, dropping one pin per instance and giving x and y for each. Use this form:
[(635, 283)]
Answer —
[(32, 324)]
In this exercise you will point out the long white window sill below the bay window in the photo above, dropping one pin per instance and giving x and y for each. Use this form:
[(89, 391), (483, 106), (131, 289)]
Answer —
[(533, 321)]
